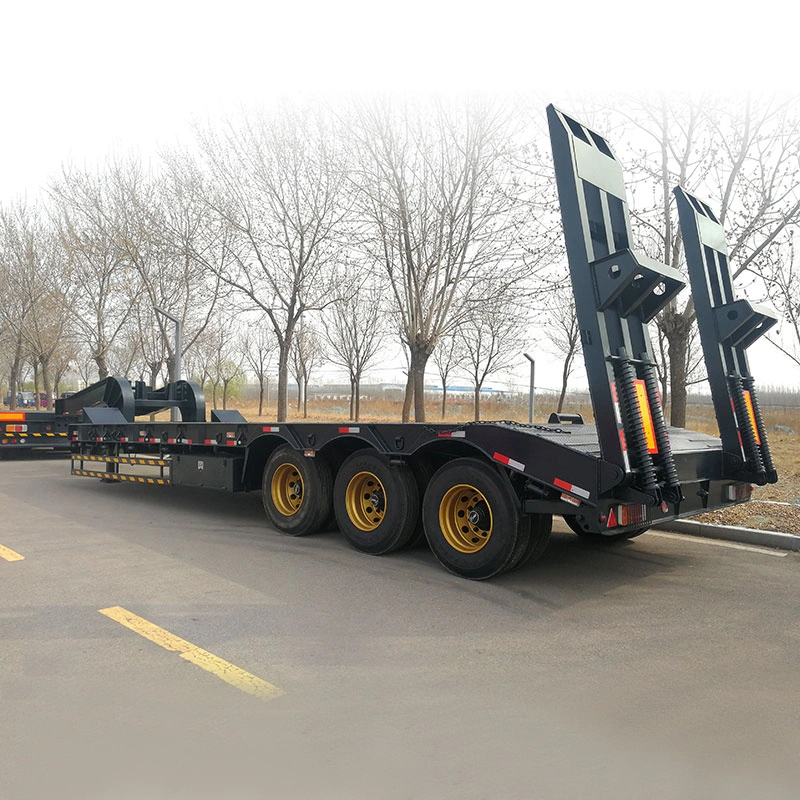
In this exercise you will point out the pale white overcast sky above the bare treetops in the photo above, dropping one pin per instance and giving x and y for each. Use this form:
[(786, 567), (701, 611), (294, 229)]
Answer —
[(81, 78)]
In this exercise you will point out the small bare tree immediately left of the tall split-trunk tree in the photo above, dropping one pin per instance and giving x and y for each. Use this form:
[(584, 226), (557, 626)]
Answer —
[(354, 335)]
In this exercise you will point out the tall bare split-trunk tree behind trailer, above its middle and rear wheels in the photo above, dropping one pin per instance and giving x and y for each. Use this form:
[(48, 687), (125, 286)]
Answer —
[(434, 190)]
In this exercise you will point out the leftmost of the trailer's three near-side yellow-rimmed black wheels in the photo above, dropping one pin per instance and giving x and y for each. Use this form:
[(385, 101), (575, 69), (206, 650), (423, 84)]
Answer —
[(296, 491)]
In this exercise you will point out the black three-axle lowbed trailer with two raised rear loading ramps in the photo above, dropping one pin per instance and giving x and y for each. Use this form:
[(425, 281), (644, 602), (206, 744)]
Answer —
[(483, 494)]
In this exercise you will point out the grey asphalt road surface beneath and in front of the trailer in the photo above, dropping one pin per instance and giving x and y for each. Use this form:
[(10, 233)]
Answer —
[(299, 668)]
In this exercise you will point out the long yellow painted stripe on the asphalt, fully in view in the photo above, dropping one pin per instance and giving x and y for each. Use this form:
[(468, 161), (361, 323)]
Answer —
[(229, 673)]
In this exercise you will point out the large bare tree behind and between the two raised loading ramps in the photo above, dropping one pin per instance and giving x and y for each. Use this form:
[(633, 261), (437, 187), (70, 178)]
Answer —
[(740, 154)]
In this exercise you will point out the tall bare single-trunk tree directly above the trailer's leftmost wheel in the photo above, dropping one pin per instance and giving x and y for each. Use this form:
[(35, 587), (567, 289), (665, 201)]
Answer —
[(278, 186)]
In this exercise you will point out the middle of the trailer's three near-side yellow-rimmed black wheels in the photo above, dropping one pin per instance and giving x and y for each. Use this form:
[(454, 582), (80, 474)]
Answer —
[(376, 505)]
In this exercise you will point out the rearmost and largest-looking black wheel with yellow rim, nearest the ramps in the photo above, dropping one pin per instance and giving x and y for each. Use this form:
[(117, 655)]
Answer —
[(472, 519)]
